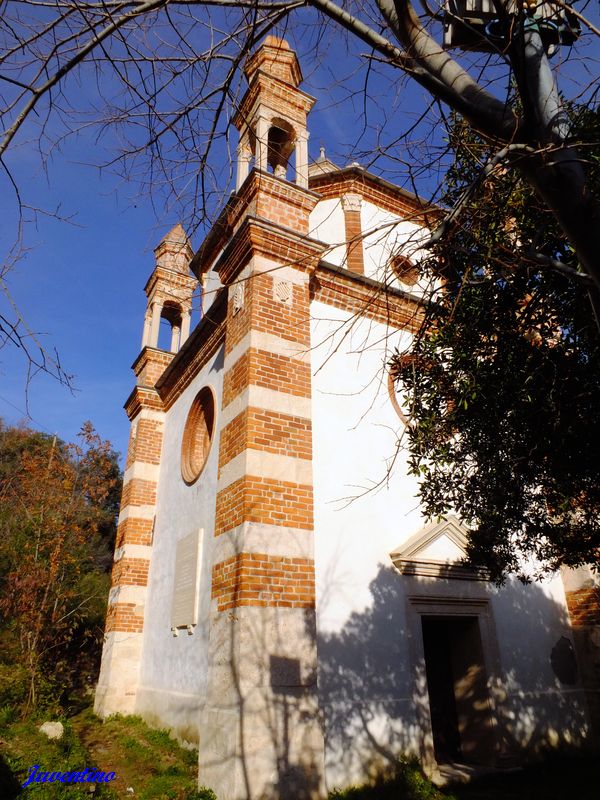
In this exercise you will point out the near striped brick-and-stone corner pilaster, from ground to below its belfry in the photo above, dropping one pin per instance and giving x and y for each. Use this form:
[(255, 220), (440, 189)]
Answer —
[(262, 645)]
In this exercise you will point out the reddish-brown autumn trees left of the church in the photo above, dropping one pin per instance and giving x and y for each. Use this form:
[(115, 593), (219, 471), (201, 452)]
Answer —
[(58, 505)]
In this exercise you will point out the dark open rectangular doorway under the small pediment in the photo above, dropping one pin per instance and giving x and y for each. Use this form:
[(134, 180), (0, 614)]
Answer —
[(459, 702)]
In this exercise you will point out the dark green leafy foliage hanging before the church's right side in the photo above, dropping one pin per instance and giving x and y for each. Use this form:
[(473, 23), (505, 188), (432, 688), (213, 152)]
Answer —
[(503, 383)]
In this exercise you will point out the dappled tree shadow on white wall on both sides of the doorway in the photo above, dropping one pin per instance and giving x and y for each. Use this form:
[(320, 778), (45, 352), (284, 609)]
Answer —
[(372, 677)]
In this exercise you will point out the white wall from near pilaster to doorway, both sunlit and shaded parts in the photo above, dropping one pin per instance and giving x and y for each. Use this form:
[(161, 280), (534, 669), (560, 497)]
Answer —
[(365, 681)]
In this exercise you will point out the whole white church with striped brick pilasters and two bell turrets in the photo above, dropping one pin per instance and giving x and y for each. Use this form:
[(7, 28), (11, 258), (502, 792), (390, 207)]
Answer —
[(277, 598)]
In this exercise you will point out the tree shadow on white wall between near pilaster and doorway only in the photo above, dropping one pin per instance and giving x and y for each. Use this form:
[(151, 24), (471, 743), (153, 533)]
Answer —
[(362, 671)]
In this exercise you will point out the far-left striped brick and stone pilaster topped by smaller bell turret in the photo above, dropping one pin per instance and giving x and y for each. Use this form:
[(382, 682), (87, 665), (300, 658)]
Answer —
[(169, 290)]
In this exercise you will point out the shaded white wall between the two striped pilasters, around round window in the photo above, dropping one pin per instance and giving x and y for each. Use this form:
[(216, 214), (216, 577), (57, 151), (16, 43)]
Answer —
[(173, 674)]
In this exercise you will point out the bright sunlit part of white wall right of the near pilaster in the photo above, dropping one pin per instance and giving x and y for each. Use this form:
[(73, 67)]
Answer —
[(355, 430)]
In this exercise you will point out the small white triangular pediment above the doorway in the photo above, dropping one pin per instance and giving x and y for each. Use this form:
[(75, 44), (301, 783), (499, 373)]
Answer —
[(437, 551)]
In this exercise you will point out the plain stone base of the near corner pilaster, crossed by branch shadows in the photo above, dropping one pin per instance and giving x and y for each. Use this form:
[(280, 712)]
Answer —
[(264, 683)]
